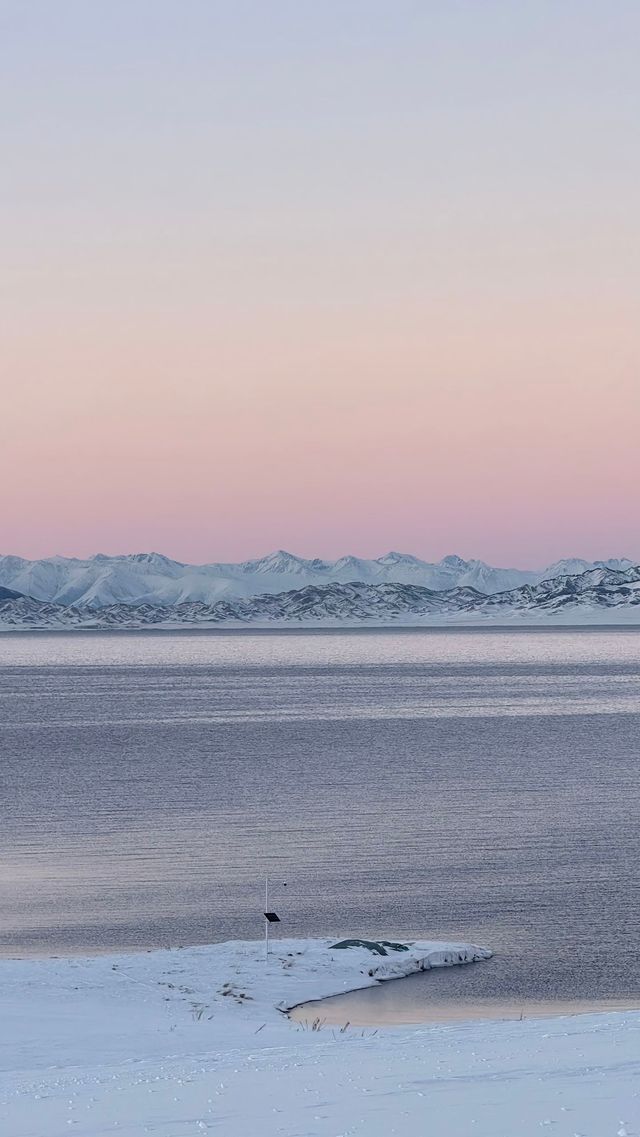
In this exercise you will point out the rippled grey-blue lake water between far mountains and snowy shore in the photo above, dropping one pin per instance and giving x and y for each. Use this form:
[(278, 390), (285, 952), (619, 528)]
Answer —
[(480, 785)]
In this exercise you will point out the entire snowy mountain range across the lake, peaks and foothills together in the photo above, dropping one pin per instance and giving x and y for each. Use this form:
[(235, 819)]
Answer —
[(149, 591)]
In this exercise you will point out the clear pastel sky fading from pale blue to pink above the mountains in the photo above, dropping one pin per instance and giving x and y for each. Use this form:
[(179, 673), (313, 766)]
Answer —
[(335, 278)]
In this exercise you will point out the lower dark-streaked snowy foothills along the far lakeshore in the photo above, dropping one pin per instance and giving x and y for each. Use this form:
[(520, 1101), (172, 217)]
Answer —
[(605, 595)]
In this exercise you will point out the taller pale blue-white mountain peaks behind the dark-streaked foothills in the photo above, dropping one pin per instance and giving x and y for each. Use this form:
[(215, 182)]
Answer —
[(151, 578)]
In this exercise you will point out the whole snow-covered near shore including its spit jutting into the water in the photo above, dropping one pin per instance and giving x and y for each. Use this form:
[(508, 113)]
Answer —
[(192, 1042)]
